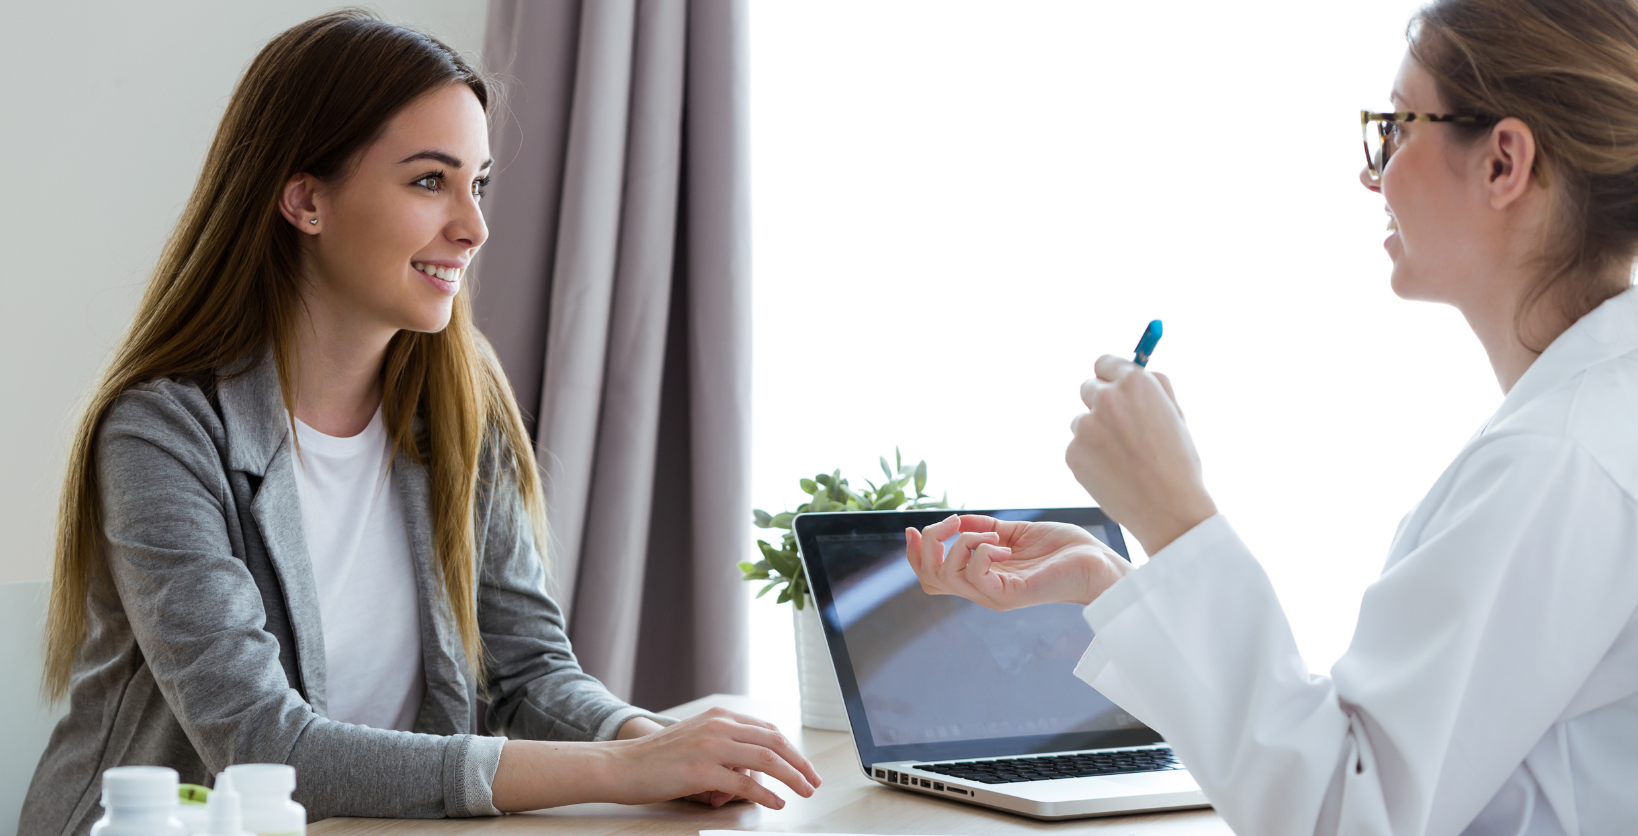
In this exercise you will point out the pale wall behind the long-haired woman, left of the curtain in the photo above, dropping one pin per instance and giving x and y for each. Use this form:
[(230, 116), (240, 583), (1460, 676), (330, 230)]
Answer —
[(107, 112)]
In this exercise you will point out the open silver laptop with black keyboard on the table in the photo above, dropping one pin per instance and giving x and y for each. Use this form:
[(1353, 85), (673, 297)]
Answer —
[(954, 701)]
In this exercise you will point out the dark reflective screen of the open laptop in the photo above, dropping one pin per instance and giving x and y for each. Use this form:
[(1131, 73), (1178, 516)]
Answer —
[(941, 678)]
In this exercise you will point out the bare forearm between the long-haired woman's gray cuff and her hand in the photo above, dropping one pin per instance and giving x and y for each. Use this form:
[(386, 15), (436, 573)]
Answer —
[(538, 775)]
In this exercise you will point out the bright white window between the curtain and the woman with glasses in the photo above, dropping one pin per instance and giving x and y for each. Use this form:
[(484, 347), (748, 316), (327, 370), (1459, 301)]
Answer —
[(961, 206)]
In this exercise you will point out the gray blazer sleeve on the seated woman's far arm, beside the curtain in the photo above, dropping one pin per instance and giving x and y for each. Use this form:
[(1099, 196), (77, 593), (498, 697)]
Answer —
[(536, 686)]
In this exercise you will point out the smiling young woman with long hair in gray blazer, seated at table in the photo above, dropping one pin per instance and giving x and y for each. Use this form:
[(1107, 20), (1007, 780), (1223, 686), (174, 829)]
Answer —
[(302, 520)]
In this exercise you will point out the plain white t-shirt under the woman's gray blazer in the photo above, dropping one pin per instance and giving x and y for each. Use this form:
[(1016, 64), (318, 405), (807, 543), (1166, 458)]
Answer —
[(356, 538)]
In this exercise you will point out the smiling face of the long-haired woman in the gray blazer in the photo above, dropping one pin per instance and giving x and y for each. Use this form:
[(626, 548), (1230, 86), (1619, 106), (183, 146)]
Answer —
[(396, 235)]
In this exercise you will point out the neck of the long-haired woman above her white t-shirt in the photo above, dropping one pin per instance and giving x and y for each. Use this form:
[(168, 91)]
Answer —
[(338, 370)]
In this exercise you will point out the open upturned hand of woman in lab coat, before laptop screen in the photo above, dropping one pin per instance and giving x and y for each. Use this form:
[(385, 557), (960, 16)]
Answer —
[(1007, 565)]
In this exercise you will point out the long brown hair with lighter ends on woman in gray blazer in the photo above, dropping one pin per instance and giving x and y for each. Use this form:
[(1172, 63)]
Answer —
[(227, 289)]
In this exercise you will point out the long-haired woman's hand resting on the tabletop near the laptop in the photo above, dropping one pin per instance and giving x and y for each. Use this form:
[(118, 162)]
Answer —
[(710, 758)]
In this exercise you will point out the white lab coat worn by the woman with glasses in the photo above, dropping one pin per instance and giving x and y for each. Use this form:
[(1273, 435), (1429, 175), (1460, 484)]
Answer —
[(1493, 679)]
